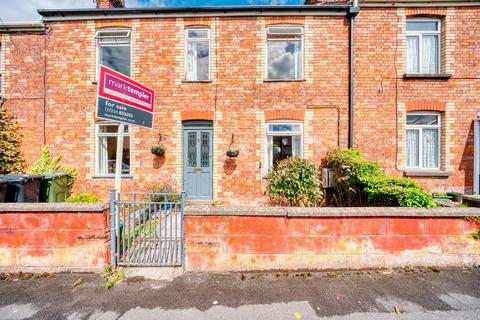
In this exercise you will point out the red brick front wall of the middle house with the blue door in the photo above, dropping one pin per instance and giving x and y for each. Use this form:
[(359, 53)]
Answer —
[(237, 98)]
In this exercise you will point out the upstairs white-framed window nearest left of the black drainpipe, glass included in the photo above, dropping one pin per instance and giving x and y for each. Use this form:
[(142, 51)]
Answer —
[(284, 53)]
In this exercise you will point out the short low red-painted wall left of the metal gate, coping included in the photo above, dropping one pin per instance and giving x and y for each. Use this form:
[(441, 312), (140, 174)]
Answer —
[(54, 237)]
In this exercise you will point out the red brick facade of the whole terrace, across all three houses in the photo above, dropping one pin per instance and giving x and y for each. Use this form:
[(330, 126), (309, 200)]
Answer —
[(239, 101)]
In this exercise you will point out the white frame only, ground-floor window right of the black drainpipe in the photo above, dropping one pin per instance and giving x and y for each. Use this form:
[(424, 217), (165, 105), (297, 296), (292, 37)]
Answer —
[(420, 129)]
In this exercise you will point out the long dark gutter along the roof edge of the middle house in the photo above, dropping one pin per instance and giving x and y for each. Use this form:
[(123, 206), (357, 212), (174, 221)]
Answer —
[(176, 12)]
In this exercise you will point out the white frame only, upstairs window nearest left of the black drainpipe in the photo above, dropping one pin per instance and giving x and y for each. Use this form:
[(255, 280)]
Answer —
[(302, 47)]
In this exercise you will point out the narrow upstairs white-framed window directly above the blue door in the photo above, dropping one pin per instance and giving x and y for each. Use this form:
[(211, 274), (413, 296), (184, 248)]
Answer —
[(197, 54)]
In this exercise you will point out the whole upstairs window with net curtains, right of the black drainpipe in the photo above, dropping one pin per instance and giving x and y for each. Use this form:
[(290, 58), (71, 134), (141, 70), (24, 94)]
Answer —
[(423, 45)]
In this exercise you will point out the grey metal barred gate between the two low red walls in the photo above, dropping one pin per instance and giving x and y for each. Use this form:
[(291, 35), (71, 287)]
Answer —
[(146, 229)]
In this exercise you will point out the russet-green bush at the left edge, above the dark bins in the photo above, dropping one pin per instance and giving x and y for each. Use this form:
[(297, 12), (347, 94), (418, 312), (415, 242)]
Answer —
[(11, 158)]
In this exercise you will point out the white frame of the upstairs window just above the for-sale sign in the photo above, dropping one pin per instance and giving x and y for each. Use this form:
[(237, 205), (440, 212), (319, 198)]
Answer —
[(103, 34)]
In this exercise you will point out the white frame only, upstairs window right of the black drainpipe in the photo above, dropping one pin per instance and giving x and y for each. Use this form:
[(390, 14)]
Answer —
[(420, 35)]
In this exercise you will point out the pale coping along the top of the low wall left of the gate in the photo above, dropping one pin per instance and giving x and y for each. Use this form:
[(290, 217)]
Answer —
[(53, 207)]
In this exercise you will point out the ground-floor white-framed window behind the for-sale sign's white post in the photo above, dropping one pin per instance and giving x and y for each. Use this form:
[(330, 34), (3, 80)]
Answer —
[(106, 149)]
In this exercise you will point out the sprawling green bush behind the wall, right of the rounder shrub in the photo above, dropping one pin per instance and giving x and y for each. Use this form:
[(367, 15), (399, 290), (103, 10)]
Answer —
[(360, 182)]
